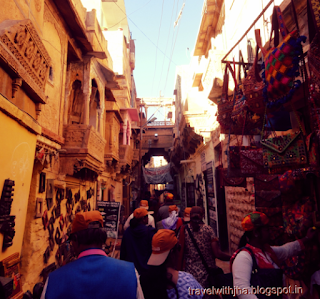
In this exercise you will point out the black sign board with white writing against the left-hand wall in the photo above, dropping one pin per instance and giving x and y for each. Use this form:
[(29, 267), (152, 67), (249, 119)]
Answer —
[(110, 212)]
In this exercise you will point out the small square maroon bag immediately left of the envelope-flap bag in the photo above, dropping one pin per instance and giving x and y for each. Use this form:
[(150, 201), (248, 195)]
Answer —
[(251, 161)]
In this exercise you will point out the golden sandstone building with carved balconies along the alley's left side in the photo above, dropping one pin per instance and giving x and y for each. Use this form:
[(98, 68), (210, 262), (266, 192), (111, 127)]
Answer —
[(67, 105)]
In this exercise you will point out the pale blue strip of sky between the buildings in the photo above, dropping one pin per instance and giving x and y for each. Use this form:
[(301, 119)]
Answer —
[(151, 69)]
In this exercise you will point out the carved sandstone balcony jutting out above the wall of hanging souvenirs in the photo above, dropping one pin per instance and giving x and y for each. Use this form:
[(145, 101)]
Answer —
[(83, 147)]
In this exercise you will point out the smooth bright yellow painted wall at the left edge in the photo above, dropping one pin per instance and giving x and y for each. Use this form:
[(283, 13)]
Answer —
[(16, 163)]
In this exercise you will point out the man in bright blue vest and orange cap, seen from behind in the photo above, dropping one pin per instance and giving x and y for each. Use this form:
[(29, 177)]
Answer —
[(93, 274)]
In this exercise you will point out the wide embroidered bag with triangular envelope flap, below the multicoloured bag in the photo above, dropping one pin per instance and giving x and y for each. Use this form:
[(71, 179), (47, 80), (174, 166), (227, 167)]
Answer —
[(284, 151)]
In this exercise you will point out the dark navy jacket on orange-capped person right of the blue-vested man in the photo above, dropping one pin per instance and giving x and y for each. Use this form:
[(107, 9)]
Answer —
[(136, 246)]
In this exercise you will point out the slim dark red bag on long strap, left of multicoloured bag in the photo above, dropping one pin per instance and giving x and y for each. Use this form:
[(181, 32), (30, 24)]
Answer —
[(253, 85)]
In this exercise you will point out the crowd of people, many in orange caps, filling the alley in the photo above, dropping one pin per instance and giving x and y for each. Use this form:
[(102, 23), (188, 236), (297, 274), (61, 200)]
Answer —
[(166, 262)]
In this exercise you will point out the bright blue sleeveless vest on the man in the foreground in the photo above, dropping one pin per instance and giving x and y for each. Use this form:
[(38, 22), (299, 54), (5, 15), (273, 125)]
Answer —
[(93, 276)]
